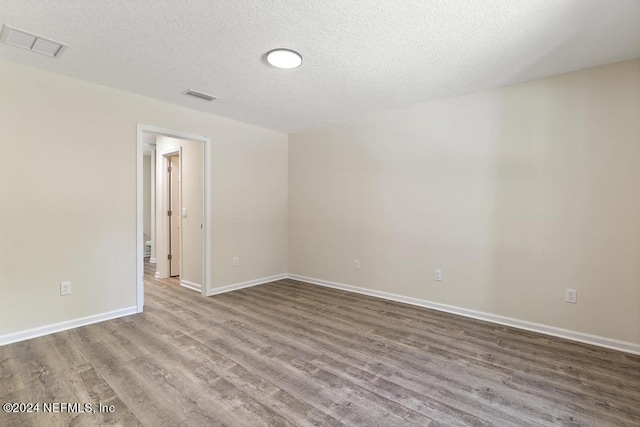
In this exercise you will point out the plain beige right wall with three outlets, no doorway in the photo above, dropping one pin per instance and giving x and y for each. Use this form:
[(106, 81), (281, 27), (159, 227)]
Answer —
[(516, 194)]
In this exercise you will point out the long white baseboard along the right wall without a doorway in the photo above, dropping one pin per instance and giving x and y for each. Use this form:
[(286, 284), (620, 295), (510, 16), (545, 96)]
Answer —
[(627, 347)]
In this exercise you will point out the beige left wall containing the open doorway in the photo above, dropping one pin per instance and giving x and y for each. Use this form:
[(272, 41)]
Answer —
[(69, 171)]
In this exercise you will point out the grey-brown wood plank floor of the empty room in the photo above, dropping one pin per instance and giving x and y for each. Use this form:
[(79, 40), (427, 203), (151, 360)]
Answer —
[(289, 353)]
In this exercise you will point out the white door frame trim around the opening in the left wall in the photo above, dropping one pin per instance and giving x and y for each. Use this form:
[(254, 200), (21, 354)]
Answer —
[(206, 141)]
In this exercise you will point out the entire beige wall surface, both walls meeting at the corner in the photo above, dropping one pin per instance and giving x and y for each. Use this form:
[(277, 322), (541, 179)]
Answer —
[(516, 194)]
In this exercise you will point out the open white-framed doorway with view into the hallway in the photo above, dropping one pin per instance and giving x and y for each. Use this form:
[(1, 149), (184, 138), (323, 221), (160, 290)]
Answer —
[(187, 237)]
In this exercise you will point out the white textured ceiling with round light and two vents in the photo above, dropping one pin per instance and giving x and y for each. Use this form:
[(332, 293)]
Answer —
[(360, 56)]
